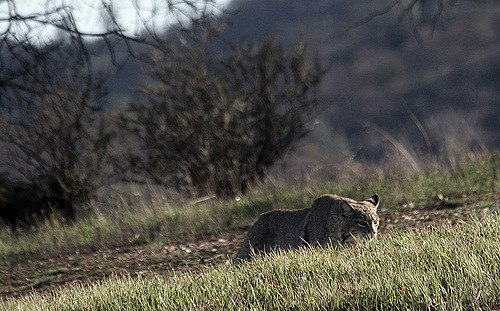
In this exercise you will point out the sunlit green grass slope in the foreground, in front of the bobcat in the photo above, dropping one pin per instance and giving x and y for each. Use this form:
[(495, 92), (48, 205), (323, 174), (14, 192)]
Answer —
[(450, 268)]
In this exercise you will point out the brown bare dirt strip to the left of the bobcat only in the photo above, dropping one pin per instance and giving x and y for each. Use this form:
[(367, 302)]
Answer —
[(193, 254)]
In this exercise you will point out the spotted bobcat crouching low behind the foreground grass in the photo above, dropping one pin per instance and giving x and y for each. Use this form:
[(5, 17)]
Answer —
[(330, 219)]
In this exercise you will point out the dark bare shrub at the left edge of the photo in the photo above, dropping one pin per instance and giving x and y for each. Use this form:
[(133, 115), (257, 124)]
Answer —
[(55, 141)]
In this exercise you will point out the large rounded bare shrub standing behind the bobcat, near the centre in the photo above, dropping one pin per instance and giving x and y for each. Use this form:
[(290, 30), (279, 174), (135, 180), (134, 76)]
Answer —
[(214, 123)]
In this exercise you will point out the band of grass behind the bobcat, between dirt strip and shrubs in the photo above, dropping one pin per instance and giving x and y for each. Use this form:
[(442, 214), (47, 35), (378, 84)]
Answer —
[(168, 222)]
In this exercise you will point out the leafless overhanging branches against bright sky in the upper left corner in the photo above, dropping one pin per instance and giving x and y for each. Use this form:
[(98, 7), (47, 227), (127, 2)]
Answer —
[(22, 50)]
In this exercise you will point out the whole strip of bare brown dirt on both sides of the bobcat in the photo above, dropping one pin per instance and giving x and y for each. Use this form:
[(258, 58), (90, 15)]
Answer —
[(200, 252)]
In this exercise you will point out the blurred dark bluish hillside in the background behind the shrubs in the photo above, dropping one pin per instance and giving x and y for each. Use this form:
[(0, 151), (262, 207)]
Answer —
[(441, 98)]
